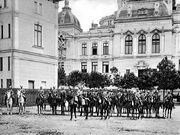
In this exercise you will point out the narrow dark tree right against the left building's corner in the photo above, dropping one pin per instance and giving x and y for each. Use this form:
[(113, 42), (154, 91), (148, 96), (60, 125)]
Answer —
[(61, 77)]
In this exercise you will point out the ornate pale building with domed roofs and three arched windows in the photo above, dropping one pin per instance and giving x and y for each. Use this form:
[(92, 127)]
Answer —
[(137, 36)]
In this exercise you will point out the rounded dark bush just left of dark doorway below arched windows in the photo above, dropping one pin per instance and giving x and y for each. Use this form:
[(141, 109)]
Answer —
[(129, 81)]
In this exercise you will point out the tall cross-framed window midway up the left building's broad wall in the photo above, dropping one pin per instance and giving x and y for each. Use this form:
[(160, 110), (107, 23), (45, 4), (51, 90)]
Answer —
[(37, 35)]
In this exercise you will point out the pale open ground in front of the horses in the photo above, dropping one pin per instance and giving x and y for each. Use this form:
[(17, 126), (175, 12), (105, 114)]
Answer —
[(31, 123)]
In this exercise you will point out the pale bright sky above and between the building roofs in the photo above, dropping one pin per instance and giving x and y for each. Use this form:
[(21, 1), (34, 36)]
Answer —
[(88, 11)]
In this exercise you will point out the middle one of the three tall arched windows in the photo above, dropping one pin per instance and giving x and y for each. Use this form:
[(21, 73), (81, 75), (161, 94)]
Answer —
[(142, 44)]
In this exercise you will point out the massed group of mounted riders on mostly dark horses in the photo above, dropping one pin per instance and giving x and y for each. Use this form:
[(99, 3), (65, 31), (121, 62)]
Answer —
[(104, 104)]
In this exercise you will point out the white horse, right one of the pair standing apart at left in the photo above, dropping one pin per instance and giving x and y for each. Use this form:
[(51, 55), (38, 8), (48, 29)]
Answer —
[(21, 102)]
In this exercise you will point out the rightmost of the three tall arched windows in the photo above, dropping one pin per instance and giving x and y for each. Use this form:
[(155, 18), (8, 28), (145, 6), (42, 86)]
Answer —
[(156, 43)]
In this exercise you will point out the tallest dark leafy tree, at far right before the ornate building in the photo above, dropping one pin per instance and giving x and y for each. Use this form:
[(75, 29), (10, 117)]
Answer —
[(167, 75)]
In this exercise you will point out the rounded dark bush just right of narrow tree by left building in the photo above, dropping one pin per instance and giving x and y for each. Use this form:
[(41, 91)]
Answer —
[(74, 78)]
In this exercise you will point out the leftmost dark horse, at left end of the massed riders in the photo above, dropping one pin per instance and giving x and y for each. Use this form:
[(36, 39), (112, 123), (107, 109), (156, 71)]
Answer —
[(39, 103)]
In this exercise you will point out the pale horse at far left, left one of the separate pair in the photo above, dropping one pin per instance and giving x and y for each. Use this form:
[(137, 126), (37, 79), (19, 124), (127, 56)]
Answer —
[(9, 101)]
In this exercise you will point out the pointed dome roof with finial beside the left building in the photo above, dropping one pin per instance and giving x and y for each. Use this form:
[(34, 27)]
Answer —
[(66, 17)]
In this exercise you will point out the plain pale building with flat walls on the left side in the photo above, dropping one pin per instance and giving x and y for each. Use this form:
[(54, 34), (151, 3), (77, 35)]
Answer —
[(28, 43)]
